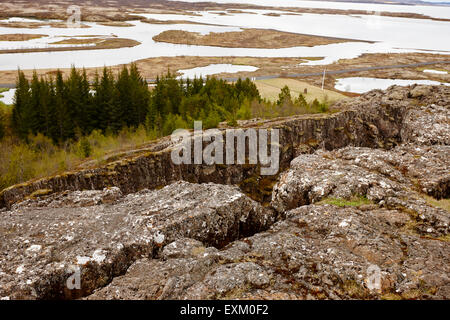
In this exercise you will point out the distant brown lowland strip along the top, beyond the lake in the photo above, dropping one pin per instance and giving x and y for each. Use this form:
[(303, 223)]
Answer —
[(104, 10)]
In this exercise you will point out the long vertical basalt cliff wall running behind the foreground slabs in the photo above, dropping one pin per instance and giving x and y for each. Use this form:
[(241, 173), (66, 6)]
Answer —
[(375, 120)]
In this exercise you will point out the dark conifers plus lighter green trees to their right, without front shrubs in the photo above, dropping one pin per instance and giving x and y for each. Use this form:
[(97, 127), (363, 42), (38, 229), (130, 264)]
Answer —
[(66, 109)]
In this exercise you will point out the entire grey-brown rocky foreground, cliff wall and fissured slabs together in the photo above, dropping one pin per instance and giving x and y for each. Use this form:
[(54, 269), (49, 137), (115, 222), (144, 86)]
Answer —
[(354, 213)]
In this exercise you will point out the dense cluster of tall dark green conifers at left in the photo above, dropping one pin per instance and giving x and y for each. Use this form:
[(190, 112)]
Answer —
[(64, 109)]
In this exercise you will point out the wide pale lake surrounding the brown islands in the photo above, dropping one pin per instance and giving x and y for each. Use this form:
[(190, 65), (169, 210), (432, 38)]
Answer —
[(393, 35)]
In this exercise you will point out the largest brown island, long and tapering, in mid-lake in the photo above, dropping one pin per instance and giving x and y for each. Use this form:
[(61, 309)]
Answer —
[(248, 38)]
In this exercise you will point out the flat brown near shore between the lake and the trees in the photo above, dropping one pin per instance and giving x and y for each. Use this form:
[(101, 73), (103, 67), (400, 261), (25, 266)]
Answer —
[(281, 67)]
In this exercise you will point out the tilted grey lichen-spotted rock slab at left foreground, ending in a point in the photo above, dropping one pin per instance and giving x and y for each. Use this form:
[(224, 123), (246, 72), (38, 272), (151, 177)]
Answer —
[(42, 247)]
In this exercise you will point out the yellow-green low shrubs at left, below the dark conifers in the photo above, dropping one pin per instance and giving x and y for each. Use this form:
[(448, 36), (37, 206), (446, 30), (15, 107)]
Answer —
[(40, 157)]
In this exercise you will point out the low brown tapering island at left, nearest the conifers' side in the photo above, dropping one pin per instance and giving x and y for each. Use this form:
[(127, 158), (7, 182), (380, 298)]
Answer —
[(99, 43)]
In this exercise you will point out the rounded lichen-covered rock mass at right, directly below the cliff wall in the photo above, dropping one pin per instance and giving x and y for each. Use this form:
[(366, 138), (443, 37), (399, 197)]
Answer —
[(394, 178)]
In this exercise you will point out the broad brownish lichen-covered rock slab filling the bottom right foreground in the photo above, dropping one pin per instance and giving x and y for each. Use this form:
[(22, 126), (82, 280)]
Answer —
[(318, 252)]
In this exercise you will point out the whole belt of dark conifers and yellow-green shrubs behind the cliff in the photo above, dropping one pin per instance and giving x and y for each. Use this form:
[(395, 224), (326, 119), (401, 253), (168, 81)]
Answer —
[(57, 122)]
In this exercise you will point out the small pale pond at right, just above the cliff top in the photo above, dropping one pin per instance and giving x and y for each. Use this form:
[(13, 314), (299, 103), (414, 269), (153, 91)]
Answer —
[(362, 84)]
